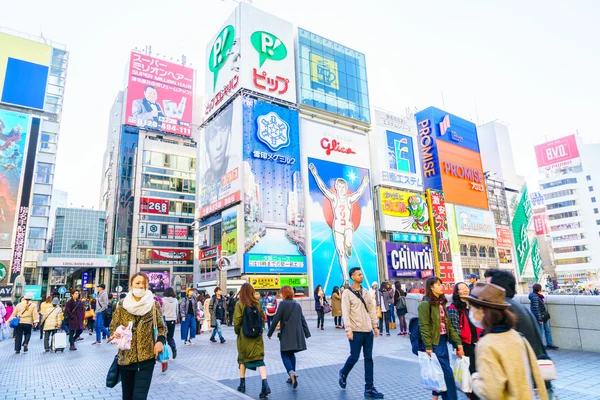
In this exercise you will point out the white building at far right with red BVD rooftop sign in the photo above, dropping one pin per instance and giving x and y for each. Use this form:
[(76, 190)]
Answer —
[(569, 183)]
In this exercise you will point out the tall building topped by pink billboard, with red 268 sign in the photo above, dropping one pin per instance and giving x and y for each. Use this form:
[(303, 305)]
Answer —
[(149, 180)]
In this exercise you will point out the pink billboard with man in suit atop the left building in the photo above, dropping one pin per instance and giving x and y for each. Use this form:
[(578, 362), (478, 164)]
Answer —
[(160, 95)]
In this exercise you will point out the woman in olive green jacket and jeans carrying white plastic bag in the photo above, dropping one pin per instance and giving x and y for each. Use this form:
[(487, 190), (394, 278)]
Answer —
[(437, 331)]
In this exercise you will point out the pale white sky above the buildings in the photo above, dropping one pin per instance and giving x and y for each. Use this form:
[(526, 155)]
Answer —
[(534, 65)]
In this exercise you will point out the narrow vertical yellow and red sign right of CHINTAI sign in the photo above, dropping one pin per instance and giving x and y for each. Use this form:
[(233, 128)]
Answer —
[(440, 239)]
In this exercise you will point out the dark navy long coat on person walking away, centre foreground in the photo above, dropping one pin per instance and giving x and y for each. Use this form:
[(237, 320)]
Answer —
[(294, 329)]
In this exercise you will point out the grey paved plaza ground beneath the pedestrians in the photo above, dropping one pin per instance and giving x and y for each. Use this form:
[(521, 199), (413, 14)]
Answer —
[(209, 370)]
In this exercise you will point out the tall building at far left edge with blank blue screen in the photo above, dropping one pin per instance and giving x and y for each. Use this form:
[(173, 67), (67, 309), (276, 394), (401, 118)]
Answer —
[(33, 73)]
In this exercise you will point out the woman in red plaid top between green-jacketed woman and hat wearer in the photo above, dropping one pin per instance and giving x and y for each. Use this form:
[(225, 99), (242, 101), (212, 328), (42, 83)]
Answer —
[(458, 312)]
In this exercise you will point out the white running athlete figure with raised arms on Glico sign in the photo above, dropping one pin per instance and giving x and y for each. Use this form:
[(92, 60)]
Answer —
[(341, 203)]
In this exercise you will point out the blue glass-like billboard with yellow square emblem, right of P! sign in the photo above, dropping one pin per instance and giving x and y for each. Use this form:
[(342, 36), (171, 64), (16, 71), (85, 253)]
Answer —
[(332, 77)]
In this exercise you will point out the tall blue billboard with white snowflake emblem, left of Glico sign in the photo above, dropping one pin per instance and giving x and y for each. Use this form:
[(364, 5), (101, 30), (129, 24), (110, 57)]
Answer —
[(273, 188)]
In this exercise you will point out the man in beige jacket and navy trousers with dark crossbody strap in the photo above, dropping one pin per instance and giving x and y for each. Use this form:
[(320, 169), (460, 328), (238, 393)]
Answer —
[(360, 320)]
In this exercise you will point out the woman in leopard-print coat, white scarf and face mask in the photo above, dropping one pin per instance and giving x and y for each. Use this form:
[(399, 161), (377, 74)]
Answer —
[(137, 364)]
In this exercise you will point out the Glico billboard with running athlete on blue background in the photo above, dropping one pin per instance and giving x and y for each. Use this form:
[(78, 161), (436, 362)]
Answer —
[(340, 204)]
